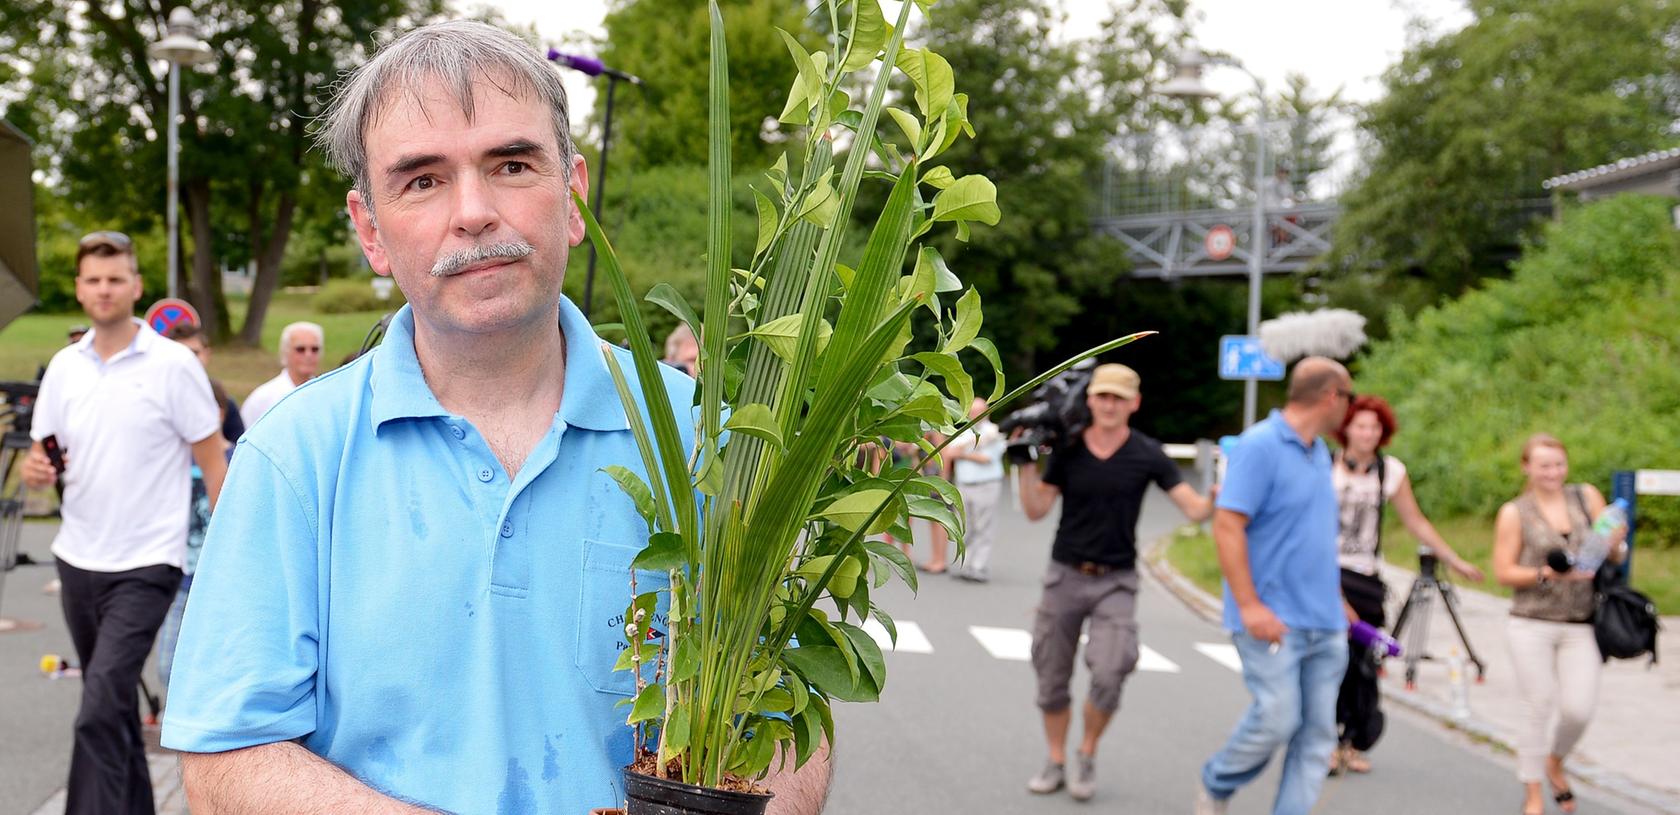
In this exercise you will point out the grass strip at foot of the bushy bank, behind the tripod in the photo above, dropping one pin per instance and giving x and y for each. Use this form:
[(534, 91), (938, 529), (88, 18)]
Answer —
[(1656, 572)]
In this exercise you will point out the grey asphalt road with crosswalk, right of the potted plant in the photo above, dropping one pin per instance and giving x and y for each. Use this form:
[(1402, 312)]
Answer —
[(957, 730)]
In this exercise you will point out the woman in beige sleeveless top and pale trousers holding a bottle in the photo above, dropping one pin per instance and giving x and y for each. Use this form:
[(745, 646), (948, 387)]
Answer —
[(1551, 616)]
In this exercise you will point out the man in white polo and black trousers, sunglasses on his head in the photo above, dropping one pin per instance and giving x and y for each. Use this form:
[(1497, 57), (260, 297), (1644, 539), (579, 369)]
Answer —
[(130, 413)]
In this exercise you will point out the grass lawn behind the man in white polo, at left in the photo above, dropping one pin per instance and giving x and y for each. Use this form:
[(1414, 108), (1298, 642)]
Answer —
[(31, 340)]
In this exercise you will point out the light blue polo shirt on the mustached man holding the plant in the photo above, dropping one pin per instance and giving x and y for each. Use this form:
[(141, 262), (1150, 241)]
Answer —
[(375, 587)]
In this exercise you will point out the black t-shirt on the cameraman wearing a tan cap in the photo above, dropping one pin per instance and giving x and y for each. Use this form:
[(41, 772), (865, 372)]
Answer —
[(1101, 500)]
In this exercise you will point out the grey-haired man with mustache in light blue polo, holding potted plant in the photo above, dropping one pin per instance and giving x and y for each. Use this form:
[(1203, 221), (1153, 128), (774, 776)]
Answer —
[(412, 594)]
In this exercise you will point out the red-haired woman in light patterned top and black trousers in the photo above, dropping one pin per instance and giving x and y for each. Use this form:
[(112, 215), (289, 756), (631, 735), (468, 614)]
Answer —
[(1365, 481)]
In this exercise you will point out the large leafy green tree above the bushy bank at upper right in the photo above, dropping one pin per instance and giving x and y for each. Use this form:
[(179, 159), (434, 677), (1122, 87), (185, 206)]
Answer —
[(1476, 120)]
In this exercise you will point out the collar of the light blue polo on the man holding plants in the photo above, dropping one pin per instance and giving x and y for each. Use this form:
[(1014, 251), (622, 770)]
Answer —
[(591, 399)]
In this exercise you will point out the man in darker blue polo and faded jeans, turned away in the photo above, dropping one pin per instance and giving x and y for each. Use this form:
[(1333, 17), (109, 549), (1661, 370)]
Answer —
[(1276, 534)]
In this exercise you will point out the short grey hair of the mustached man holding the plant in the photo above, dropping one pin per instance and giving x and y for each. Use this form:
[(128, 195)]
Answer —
[(446, 55)]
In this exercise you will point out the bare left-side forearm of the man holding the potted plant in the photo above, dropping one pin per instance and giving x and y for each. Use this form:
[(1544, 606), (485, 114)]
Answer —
[(280, 779)]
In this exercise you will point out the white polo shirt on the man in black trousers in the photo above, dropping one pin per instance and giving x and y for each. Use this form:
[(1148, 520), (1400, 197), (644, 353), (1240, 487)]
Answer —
[(127, 428)]
